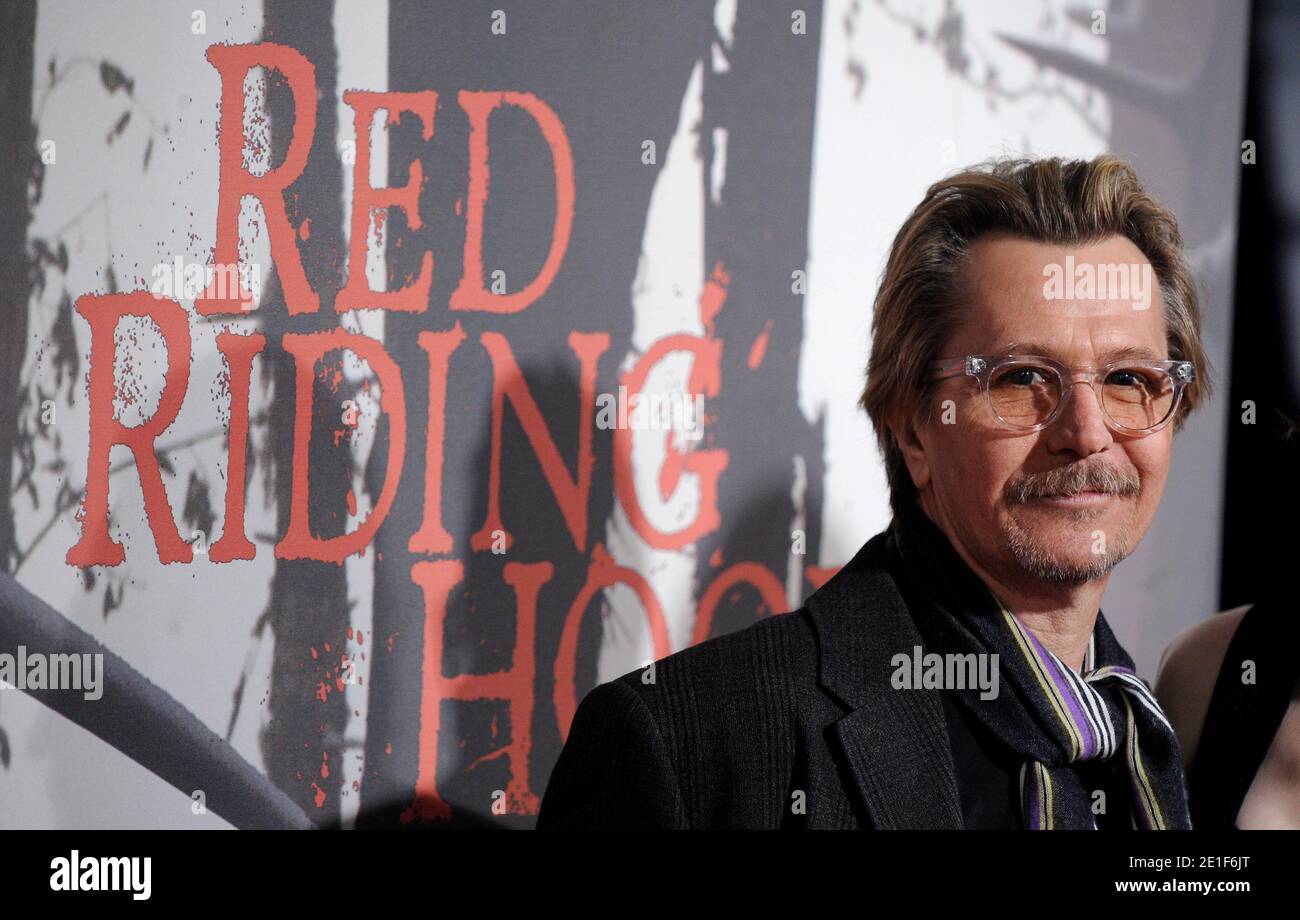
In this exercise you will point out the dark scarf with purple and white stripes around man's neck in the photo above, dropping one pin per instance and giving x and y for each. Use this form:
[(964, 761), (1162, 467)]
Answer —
[(1046, 711)]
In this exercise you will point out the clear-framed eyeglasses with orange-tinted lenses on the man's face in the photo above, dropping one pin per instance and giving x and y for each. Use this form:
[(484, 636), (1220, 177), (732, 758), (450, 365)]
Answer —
[(1026, 393)]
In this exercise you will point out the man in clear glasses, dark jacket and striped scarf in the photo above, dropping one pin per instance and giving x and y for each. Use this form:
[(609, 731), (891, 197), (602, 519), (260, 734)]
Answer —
[(1035, 348)]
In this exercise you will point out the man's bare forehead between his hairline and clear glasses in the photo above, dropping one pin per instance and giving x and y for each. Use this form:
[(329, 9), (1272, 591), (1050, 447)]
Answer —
[(1076, 302)]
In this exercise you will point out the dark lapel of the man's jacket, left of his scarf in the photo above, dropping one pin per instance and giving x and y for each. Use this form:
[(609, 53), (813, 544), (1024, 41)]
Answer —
[(895, 743)]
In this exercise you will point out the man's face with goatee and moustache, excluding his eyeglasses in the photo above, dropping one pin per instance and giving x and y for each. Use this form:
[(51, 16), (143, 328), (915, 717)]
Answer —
[(1000, 493)]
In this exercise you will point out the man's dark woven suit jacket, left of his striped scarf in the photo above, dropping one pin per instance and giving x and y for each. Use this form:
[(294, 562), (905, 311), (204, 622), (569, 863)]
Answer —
[(734, 730)]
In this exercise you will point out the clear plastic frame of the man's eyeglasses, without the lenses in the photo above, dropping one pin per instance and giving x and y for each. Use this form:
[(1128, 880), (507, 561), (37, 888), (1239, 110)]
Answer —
[(983, 367)]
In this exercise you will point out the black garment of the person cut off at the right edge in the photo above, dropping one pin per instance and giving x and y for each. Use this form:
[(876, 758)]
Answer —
[(1243, 718)]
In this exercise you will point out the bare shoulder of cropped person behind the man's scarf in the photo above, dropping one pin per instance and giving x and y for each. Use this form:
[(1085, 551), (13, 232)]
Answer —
[(1188, 674)]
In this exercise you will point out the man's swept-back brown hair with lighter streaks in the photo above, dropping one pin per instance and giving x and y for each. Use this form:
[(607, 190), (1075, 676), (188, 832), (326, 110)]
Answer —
[(922, 294)]
